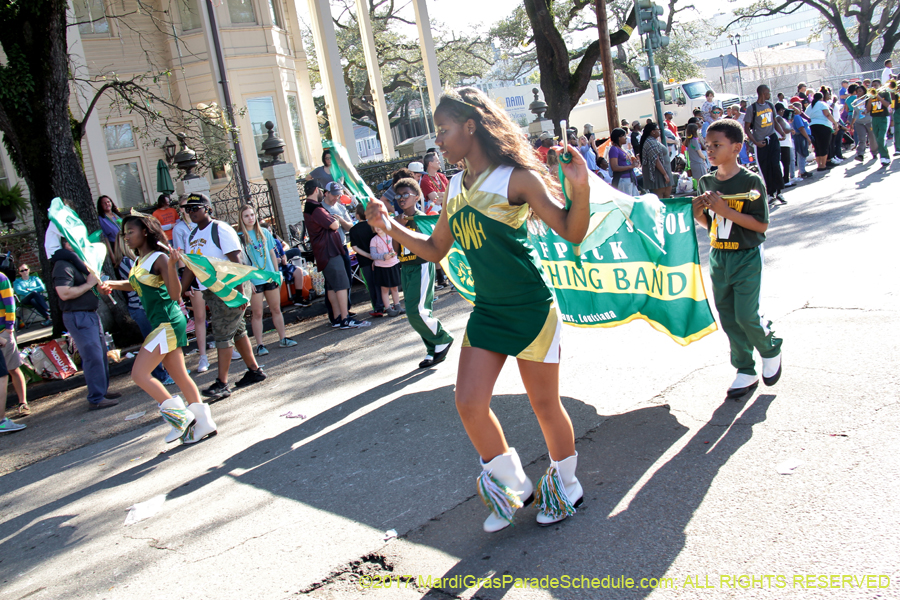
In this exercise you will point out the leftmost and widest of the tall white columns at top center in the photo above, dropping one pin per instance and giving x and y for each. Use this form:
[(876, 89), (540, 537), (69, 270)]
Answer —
[(330, 71)]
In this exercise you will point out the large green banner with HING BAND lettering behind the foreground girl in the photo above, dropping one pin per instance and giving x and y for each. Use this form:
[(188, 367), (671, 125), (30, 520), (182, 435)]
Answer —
[(648, 268)]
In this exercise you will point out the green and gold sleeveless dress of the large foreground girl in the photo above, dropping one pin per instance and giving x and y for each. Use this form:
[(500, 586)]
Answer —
[(515, 311)]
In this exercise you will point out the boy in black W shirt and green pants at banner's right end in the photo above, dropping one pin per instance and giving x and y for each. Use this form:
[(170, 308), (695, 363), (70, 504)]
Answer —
[(737, 230)]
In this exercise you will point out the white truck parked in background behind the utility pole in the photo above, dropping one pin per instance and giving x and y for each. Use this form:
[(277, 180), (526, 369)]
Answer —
[(681, 98)]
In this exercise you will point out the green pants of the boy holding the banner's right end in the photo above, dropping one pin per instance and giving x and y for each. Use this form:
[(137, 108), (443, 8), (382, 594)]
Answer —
[(737, 280)]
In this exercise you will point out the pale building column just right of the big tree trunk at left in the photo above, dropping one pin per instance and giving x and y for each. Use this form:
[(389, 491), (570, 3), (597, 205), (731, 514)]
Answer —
[(96, 141)]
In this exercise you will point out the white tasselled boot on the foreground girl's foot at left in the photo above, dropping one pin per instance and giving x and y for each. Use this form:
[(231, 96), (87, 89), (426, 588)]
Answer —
[(504, 488)]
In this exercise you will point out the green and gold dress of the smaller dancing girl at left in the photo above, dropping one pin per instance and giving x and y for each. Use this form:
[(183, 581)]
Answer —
[(168, 322)]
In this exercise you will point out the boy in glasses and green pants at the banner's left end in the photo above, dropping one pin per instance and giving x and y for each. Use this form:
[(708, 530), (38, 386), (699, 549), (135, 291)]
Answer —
[(417, 278)]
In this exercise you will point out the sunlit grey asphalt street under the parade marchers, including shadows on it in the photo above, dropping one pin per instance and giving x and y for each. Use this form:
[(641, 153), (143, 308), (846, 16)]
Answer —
[(683, 495)]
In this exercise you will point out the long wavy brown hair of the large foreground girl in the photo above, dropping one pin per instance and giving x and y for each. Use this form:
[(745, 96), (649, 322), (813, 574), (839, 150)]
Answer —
[(500, 137)]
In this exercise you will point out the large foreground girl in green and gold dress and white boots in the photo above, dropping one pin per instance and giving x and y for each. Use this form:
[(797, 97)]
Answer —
[(515, 314)]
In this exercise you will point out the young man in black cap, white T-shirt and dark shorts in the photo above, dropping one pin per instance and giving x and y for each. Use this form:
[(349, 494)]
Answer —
[(217, 240)]
